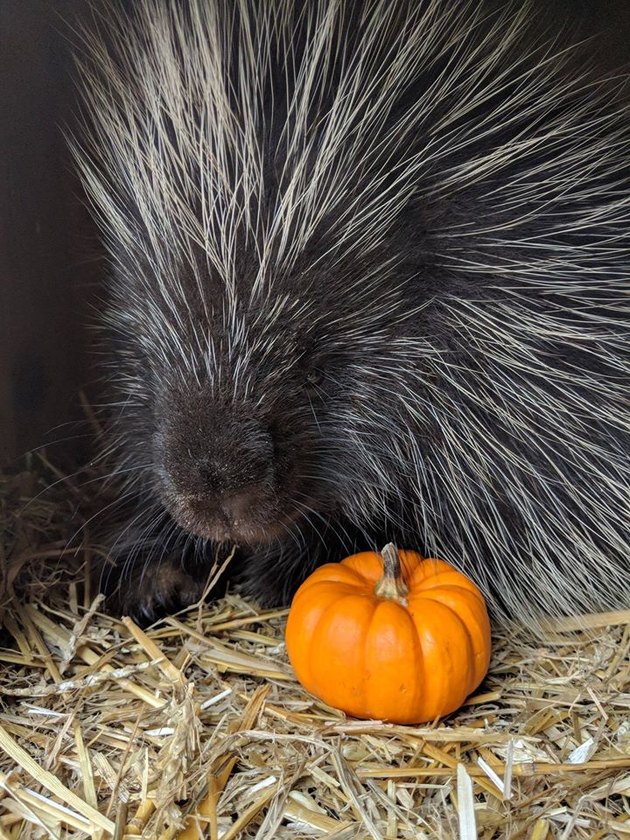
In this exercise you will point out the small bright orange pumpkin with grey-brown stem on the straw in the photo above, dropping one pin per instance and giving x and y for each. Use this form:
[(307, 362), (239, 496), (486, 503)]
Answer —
[(391, 636)]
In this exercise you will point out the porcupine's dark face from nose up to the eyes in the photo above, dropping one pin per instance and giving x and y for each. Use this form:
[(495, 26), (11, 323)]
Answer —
[(237, 446)]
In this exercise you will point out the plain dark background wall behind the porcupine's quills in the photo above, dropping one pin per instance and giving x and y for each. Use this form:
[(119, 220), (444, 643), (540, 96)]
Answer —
[(49, 266)]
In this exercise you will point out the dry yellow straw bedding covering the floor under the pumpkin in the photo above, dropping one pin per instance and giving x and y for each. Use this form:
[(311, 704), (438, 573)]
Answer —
[(197, 727)]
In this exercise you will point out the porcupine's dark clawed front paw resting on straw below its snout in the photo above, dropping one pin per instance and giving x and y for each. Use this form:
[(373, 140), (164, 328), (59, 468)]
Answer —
[(157, 590)]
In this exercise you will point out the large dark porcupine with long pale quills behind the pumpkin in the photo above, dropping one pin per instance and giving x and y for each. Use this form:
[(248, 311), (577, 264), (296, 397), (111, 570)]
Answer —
[(369, 282)]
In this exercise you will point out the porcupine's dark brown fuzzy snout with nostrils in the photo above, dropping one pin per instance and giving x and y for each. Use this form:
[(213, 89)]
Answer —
[(218, 477)]
